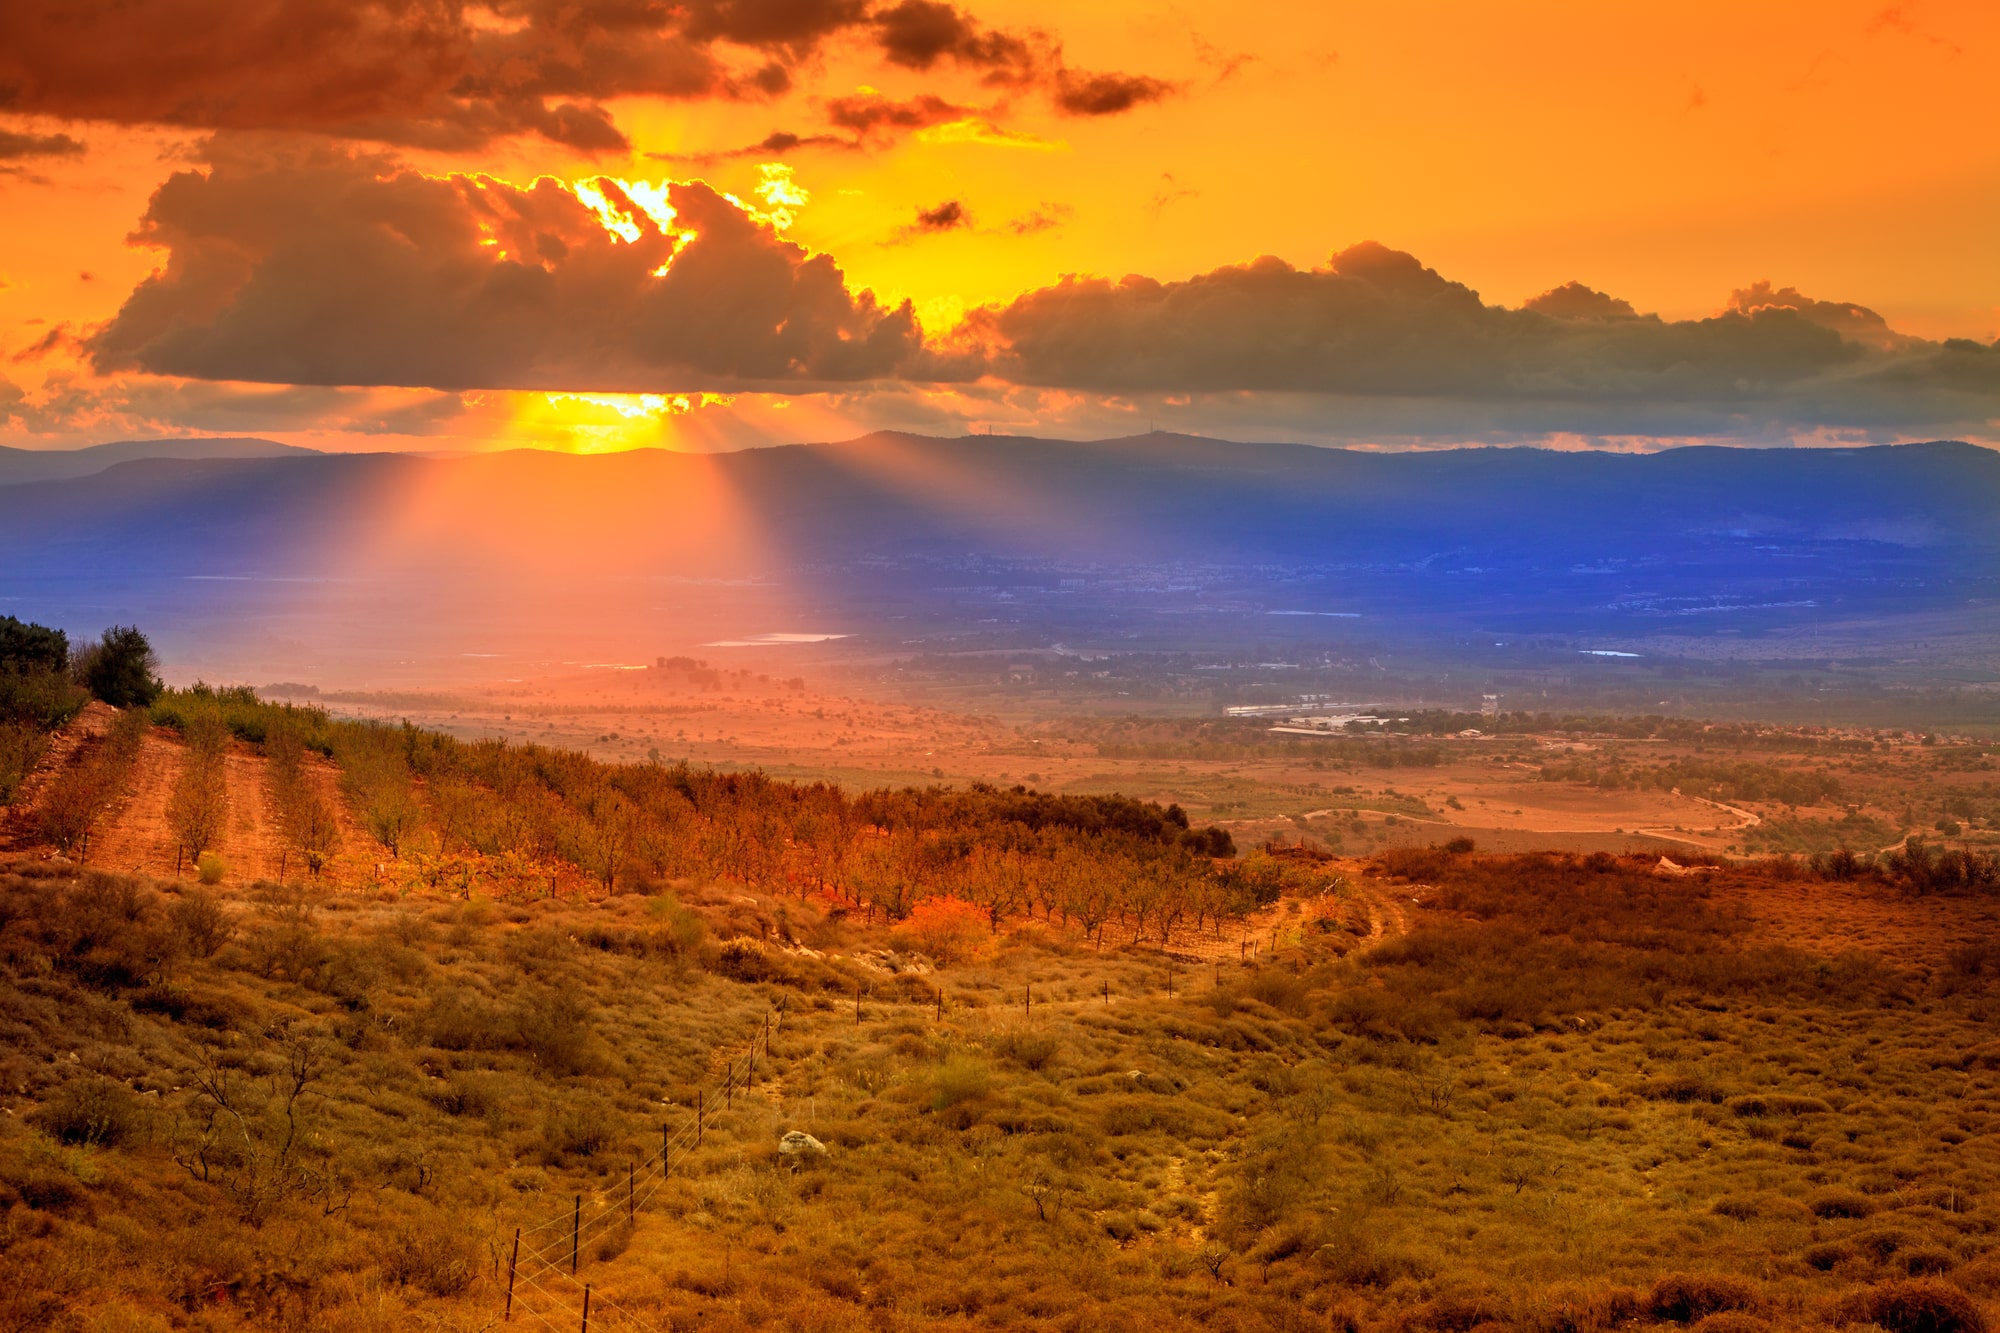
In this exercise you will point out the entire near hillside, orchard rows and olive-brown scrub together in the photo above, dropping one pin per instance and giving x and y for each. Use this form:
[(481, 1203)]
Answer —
[(377, 1002)]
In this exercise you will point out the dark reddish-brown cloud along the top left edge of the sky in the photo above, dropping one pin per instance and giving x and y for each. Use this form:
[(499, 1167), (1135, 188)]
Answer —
[(449, 73)]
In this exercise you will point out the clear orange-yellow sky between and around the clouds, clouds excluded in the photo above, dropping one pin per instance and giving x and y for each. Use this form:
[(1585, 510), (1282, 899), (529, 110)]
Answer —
[(1665, 155)]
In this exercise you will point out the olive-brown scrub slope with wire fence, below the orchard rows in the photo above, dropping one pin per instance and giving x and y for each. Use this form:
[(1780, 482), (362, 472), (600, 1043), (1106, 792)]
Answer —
[(1567, 1094)]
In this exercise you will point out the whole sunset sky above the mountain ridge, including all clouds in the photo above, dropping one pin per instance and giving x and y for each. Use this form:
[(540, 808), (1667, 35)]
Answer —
[(617, 223)]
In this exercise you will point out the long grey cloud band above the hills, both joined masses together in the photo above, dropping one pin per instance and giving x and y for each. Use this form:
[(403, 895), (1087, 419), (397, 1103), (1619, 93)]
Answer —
[(353, 271)]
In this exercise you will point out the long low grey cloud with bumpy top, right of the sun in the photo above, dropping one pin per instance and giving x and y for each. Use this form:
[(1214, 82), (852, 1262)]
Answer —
[(1383, 329)]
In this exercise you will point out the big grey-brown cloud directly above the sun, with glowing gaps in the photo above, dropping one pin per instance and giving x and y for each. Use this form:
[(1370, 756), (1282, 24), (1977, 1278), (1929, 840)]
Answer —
[(327, 269)]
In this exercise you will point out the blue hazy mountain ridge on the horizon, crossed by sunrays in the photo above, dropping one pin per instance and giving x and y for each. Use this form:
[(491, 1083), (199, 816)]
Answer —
[(1151, 541)]
